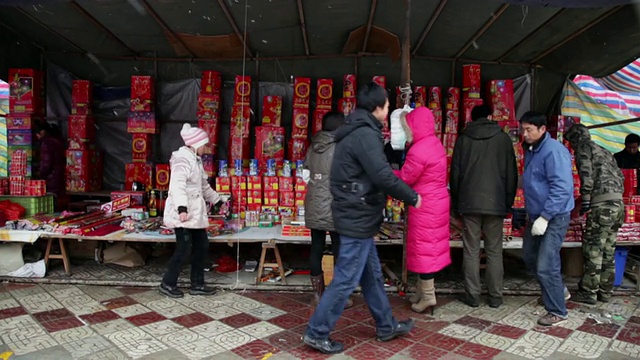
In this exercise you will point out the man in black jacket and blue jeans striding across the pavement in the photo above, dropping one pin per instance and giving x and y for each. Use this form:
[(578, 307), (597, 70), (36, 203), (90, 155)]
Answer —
[(360, 178)]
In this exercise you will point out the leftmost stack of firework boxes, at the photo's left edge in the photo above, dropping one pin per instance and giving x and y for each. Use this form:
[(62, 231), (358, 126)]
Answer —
[(26, 108)]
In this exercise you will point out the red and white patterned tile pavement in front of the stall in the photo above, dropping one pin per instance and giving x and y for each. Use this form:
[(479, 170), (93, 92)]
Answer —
[(94, 322)]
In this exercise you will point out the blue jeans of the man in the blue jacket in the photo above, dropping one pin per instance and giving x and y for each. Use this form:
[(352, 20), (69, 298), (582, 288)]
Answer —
[(541, 255)]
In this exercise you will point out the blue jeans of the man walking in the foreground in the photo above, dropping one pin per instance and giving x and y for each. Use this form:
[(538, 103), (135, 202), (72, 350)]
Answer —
[(358, 262)]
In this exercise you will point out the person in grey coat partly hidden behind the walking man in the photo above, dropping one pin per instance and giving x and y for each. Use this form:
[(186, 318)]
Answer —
[(317, 202)]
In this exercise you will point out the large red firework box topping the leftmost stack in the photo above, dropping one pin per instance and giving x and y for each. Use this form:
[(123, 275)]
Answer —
[(26, 91)]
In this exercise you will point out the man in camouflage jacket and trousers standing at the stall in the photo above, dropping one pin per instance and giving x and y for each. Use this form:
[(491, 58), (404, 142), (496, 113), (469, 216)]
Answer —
[(601, 190)]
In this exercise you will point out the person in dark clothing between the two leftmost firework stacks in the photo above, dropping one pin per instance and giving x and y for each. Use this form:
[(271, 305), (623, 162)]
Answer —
[(52, 158)]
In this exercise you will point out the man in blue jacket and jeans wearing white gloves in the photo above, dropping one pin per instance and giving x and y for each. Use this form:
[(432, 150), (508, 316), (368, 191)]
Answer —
[(548, 191)]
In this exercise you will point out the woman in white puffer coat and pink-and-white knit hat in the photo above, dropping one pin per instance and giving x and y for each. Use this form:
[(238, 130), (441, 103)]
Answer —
[(190, 197)]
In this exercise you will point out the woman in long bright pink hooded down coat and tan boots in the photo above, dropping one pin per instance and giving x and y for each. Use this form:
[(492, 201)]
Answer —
[(425, 170)]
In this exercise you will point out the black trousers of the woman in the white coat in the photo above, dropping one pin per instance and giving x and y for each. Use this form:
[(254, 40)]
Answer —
[(198, 240)]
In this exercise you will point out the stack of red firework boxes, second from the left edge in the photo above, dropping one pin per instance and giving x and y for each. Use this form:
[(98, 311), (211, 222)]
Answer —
[(84, 162)]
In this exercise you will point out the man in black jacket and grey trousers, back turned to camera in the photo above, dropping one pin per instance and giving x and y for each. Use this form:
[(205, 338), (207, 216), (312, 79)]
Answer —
[(484, 178)]
